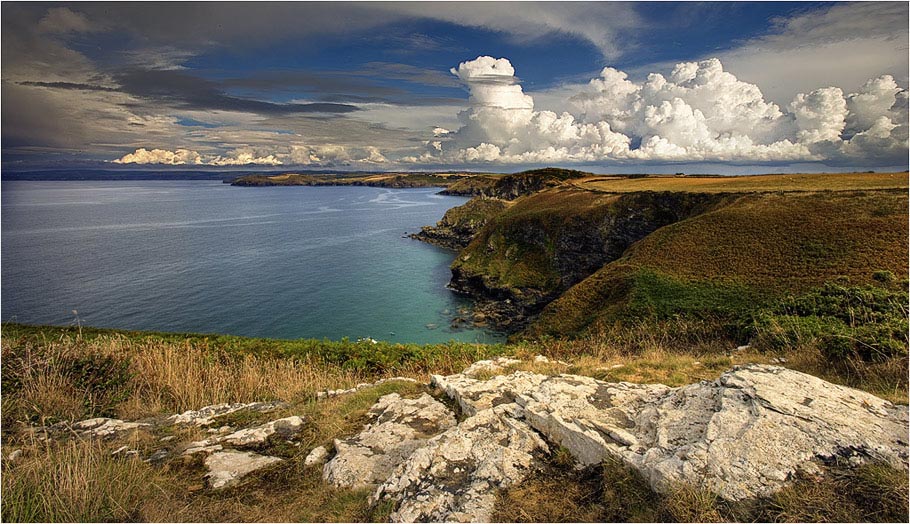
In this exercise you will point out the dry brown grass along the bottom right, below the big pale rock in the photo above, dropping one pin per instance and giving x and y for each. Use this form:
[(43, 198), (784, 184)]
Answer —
[(614, 492)]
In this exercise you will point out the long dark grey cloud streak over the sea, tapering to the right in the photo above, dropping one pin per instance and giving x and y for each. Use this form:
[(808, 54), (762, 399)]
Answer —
[(190, 92)]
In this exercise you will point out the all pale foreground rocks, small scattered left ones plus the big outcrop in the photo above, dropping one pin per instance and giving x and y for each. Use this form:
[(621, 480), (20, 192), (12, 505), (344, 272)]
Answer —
[(442, 456)]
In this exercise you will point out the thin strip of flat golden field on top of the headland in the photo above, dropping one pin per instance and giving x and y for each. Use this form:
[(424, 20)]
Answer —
[(749, 183)]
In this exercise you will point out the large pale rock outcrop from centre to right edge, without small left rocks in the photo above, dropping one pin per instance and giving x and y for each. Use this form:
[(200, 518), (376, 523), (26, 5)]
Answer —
[(742, 436)]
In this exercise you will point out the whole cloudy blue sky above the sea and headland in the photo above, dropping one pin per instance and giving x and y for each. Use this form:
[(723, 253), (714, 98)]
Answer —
[(724, 87)]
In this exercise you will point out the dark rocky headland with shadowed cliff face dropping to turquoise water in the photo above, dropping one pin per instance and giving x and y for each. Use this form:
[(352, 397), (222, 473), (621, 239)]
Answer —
[(529, 255)]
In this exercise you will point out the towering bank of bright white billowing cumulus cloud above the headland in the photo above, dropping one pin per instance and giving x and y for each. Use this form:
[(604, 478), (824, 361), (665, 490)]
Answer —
[(700, 112)]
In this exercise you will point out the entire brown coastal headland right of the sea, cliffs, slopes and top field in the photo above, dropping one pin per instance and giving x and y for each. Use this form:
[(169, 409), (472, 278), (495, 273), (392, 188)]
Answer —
[(577, 254)]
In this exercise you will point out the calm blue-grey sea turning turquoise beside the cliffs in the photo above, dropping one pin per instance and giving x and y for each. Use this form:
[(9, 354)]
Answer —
[(284, 262)]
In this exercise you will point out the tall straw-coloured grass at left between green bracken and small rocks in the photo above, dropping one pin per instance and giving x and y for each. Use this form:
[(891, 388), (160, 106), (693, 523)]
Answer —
[(163, 377)]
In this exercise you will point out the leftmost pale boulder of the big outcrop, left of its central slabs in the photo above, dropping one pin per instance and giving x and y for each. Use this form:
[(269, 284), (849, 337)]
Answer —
[(399, 427)]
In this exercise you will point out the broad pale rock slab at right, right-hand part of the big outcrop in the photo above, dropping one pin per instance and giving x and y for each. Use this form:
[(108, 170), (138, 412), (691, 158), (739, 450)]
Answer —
[(741, 436)]
